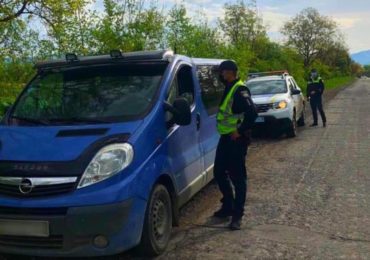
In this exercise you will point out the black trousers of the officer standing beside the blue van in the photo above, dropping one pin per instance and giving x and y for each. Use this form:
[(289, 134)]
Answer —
[(230, 166)]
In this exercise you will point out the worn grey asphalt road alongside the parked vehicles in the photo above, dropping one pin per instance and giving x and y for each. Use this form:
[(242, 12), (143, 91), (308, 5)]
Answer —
[(308, 197)]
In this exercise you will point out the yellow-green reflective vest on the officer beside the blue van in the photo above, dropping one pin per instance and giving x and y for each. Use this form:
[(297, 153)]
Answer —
[(227, 122)]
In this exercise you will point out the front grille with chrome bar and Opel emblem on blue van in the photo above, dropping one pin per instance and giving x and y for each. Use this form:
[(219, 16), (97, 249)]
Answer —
[(36, 187)]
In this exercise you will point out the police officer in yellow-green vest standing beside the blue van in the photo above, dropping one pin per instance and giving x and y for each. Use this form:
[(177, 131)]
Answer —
[(235, 118)]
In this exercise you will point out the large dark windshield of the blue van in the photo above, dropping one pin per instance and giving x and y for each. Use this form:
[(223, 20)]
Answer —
[(98, 94)]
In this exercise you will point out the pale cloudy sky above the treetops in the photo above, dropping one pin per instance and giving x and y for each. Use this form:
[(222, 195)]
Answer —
[(353, 16)]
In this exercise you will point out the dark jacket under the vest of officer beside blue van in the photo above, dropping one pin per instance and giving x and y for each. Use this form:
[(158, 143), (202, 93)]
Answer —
[(242, 103)]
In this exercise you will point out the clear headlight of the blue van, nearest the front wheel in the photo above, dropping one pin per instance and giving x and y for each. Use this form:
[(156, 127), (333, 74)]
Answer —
[(109, 161)]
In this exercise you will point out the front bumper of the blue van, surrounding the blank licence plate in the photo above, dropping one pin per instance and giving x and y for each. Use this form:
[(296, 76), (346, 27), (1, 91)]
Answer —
[(78, 231)]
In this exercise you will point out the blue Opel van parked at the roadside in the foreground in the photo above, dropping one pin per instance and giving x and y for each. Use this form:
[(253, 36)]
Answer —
[(98, 153)]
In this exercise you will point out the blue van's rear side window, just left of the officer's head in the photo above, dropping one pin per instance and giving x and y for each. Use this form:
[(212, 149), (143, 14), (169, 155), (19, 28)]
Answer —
[(212, 88)]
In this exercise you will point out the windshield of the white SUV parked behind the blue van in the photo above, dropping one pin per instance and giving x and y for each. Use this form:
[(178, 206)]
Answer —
[(266, 87)]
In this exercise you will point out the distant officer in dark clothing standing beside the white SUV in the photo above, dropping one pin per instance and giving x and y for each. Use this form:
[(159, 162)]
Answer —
[(315, 89)]
